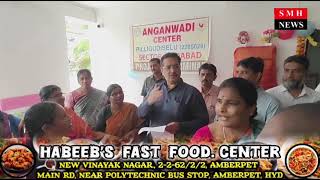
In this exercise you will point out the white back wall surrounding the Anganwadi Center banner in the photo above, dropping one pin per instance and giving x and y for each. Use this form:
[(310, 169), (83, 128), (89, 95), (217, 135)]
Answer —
[(111, 49)]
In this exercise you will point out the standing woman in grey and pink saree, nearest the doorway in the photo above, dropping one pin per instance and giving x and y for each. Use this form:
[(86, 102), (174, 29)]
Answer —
[(86, 100)]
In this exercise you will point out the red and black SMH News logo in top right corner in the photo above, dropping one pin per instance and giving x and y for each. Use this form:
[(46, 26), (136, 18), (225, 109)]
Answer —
[(290, 18)]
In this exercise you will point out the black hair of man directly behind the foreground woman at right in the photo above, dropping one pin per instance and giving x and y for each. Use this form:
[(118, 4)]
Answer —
[(255, 64)]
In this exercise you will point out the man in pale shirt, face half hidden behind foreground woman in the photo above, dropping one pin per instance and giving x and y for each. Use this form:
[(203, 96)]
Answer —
[(251, 69)]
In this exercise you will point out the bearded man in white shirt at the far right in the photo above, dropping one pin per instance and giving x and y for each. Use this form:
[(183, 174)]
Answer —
[(293, 90)]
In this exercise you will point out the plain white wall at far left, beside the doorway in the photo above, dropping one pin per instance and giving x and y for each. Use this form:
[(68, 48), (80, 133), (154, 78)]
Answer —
[(33, 49)]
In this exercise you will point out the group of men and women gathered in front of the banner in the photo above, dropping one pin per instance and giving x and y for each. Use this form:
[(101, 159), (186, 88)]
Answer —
[(236, 111)]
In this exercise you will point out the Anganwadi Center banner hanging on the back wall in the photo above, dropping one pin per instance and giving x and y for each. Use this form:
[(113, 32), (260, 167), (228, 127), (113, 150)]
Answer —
[(189, 38)]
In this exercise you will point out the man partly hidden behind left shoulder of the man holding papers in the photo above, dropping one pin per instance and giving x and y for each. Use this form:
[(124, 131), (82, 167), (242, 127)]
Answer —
[(156, 76)]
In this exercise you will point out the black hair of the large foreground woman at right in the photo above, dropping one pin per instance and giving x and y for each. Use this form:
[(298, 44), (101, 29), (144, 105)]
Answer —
[(245, 88)]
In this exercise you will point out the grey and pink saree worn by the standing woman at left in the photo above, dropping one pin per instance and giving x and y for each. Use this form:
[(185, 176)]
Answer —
[(86, 105)]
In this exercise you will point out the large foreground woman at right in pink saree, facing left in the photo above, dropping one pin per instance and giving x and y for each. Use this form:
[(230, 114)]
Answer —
[(235, 109)]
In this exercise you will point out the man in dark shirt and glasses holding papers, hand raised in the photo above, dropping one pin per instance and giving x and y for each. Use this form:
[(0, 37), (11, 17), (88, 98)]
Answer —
[(174, 103)]
